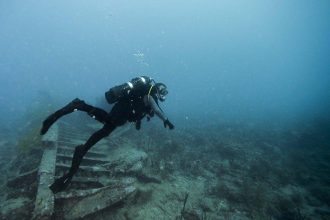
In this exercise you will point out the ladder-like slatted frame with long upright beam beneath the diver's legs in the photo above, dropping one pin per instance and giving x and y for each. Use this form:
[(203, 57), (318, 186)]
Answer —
[(92, 188)]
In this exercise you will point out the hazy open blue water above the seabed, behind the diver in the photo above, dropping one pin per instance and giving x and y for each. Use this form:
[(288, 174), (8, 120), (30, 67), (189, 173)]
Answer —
[(257, 62)]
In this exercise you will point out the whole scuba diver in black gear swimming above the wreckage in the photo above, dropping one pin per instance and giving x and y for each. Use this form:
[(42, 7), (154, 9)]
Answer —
[(133, 101)]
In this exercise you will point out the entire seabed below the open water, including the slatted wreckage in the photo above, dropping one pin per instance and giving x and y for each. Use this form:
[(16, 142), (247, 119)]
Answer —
[(220, 173)]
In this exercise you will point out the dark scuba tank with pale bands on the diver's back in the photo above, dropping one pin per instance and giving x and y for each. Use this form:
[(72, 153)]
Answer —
[(124, 90)]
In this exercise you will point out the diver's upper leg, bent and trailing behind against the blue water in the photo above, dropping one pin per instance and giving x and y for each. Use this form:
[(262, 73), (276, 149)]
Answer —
[(76, 104)]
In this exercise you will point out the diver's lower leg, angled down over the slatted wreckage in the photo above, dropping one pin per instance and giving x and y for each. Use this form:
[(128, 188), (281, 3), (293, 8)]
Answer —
[(80, 151)]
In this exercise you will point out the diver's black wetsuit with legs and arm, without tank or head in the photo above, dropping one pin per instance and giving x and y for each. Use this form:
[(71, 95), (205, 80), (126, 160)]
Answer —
[(131, 109)]
